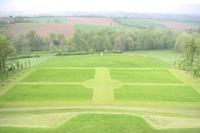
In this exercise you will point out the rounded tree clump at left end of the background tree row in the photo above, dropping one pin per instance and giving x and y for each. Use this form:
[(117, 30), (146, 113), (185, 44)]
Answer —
[(33, 42)]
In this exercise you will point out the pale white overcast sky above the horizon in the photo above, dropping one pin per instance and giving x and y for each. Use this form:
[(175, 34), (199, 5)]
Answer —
[(139, 6)]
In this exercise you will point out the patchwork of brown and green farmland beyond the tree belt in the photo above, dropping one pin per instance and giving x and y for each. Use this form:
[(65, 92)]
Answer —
[(69, 25)]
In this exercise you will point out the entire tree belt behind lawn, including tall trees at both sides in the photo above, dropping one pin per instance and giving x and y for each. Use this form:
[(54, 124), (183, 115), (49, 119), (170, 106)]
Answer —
[(109, 40)]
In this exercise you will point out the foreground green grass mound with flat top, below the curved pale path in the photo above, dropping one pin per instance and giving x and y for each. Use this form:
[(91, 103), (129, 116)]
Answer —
[(100, 123)]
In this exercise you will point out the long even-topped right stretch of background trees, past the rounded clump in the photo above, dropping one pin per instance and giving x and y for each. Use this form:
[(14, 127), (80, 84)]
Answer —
[(110, 40)]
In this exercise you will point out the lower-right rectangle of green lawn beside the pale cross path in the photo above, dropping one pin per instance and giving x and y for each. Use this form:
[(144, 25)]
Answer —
[(157, 93)]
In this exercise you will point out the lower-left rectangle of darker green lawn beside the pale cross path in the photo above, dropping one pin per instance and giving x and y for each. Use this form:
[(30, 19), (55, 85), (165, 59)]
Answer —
[(47, 93)]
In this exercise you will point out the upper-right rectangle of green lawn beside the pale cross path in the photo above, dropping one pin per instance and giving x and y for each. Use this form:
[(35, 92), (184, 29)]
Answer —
[(144, 76)]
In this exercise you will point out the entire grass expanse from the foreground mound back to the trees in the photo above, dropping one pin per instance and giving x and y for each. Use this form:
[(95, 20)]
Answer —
[(111, 93)]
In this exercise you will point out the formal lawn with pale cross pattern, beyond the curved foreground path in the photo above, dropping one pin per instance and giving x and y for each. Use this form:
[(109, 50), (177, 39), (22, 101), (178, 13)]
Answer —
[(62, 79)]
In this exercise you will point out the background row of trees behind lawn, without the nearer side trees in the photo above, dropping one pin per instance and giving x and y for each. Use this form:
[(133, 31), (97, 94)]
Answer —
[(97, 41)]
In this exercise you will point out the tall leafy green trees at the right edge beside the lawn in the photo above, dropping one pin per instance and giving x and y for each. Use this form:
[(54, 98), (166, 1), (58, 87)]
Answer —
[(189, 47)]
